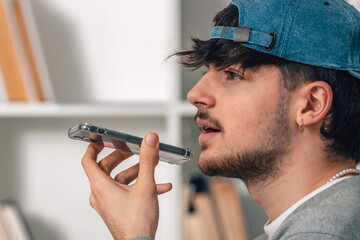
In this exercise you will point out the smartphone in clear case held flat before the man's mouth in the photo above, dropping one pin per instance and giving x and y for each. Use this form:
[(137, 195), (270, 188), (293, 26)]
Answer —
[(125, 142)]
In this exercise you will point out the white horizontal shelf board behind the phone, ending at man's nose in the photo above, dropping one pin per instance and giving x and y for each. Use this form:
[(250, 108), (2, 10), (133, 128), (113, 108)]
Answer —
[(36, 110)]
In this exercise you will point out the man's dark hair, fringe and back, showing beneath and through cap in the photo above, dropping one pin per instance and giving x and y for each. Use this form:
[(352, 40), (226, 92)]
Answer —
[(341, 135)]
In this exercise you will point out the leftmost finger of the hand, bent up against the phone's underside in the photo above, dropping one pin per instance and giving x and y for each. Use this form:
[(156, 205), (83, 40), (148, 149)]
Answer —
[(91, 168)]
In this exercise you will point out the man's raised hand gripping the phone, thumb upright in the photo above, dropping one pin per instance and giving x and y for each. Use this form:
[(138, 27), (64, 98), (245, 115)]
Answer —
[(127, 210)]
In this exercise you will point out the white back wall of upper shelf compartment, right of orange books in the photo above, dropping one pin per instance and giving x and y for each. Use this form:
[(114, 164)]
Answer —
[(120, 44)]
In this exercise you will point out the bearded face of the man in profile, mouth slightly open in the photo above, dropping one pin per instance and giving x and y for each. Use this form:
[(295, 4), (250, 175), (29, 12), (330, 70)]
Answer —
[(244, 121)]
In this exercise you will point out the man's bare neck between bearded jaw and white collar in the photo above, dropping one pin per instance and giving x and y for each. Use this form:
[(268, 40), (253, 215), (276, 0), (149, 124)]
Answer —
[(292, 183)]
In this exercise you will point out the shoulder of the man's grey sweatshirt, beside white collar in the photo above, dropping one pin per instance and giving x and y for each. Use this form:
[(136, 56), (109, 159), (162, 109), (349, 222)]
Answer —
[(332, 214)]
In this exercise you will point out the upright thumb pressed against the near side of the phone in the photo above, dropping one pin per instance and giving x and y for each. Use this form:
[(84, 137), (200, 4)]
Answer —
[(148, 158)]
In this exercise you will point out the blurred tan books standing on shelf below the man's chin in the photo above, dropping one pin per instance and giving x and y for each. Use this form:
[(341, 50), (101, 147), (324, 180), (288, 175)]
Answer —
[(213, 211)]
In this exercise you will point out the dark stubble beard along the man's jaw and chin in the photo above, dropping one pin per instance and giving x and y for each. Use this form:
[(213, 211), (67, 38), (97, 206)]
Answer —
[(261, 163)]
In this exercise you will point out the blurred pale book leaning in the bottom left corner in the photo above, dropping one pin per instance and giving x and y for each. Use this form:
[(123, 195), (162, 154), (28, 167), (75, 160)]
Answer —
[(13, 225)]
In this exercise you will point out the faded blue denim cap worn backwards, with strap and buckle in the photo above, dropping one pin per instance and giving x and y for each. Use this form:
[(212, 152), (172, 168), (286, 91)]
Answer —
[(324, 33)]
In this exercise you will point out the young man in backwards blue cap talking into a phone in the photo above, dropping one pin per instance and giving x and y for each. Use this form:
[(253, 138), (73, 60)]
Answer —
[(279, 108)]
